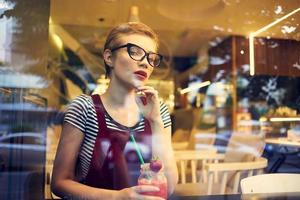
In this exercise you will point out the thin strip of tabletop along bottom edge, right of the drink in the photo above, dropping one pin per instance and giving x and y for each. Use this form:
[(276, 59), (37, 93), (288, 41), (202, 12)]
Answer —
[(272, 196)]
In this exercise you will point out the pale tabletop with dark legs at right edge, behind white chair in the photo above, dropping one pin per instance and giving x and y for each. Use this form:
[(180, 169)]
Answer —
[(284, 142)]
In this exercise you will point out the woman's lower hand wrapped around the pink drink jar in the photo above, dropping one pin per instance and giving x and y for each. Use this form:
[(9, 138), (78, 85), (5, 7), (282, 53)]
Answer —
[(135, 192)]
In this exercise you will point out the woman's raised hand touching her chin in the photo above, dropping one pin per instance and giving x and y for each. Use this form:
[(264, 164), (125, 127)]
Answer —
[(149, 103)]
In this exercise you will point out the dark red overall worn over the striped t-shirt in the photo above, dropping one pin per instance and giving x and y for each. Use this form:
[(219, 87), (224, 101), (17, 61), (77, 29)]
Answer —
[(108, 168)]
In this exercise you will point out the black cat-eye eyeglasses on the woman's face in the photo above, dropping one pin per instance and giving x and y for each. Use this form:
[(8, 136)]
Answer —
[(138, 54)]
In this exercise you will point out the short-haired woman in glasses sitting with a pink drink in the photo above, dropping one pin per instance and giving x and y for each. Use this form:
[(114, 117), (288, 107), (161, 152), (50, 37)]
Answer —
[(83, 164)]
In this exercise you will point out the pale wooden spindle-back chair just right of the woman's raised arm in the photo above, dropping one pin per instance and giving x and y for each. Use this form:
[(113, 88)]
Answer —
[(213, 176)]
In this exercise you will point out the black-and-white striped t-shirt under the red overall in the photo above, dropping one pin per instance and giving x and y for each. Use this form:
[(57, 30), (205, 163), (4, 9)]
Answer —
[(81, 113)]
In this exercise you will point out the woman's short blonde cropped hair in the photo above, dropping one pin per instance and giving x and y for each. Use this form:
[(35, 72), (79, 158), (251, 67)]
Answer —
[(112, 39)]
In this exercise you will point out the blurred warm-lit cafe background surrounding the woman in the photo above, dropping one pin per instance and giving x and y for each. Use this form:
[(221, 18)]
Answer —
[(230, 78)]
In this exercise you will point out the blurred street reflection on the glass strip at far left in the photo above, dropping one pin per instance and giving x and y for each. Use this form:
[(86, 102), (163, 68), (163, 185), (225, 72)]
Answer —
[(23, 106)]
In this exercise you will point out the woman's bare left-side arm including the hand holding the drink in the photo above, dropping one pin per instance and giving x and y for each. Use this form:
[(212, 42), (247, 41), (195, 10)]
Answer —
[(64, 183)]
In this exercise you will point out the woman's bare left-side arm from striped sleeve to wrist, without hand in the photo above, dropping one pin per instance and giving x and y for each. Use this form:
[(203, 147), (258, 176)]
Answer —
[(64, 182)]
